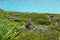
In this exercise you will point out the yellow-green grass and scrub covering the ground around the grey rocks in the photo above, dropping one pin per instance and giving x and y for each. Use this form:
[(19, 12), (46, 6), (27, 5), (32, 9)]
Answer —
[(10, 29)]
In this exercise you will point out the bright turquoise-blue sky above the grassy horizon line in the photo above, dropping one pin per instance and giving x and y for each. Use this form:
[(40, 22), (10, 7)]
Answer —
[(43, 6)]
